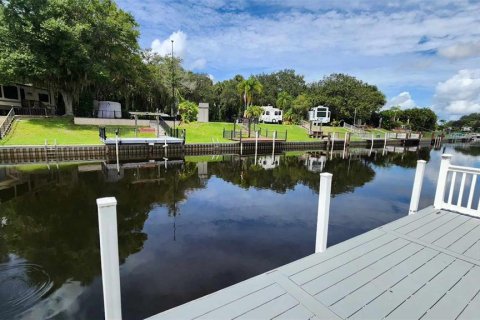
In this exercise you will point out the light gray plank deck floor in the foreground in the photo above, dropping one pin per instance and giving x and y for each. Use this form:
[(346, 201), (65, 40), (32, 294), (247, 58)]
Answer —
[(424, 265)]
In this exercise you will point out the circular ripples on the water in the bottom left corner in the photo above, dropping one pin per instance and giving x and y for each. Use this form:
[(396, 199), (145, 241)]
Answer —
[(22, 285)]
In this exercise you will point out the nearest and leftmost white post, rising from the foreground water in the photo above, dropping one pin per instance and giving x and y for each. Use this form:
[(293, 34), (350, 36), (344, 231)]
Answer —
[(107, 224)]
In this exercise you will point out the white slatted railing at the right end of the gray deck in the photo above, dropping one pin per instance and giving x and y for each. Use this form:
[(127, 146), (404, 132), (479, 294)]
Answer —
[(456, 199)]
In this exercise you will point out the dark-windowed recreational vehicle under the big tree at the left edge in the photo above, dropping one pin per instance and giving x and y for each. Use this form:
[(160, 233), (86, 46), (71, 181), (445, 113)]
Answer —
[(18, 96)]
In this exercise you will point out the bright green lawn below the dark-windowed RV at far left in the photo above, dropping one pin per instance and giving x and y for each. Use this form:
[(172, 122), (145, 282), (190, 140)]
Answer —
[(36, 131)]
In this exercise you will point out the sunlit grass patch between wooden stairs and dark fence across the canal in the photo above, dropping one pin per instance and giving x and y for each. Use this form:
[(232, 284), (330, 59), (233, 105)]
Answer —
[(198, 132)]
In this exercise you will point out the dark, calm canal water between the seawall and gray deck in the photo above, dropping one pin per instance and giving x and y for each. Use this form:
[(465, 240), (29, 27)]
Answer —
[(187, 228)]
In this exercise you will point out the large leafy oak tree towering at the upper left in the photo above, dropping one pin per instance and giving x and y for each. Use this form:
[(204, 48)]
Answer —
[(66, 45)]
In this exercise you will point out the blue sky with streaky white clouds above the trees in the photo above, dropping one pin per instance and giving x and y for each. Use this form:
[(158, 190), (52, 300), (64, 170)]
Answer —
[(419, 53)]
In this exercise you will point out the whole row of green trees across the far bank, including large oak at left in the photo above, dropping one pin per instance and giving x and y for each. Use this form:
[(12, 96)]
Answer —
[(88, 49)]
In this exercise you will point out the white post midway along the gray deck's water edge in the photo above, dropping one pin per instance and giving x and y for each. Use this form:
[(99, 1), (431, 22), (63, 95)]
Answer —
[(323, 211)]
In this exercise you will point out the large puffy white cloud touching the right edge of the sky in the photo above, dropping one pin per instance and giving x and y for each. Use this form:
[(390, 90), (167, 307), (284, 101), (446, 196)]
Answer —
[(460, 94)]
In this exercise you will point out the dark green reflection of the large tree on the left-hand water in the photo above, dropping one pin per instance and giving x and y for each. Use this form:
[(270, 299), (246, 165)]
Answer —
[(57, 228)]
